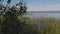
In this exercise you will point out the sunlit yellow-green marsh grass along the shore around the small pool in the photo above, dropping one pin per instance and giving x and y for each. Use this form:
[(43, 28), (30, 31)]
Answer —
[(53, 27)]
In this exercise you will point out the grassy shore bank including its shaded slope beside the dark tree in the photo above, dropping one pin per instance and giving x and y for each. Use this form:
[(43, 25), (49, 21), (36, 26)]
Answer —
[(29, 25)]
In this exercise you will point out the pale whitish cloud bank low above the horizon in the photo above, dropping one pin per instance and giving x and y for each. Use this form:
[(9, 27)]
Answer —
[(45, 8)]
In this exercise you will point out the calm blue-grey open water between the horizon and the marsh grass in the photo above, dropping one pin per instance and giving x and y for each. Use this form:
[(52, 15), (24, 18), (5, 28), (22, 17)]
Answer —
[(35, 14)]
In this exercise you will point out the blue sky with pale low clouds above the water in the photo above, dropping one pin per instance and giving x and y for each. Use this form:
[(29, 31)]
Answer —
[(40, 5)]
